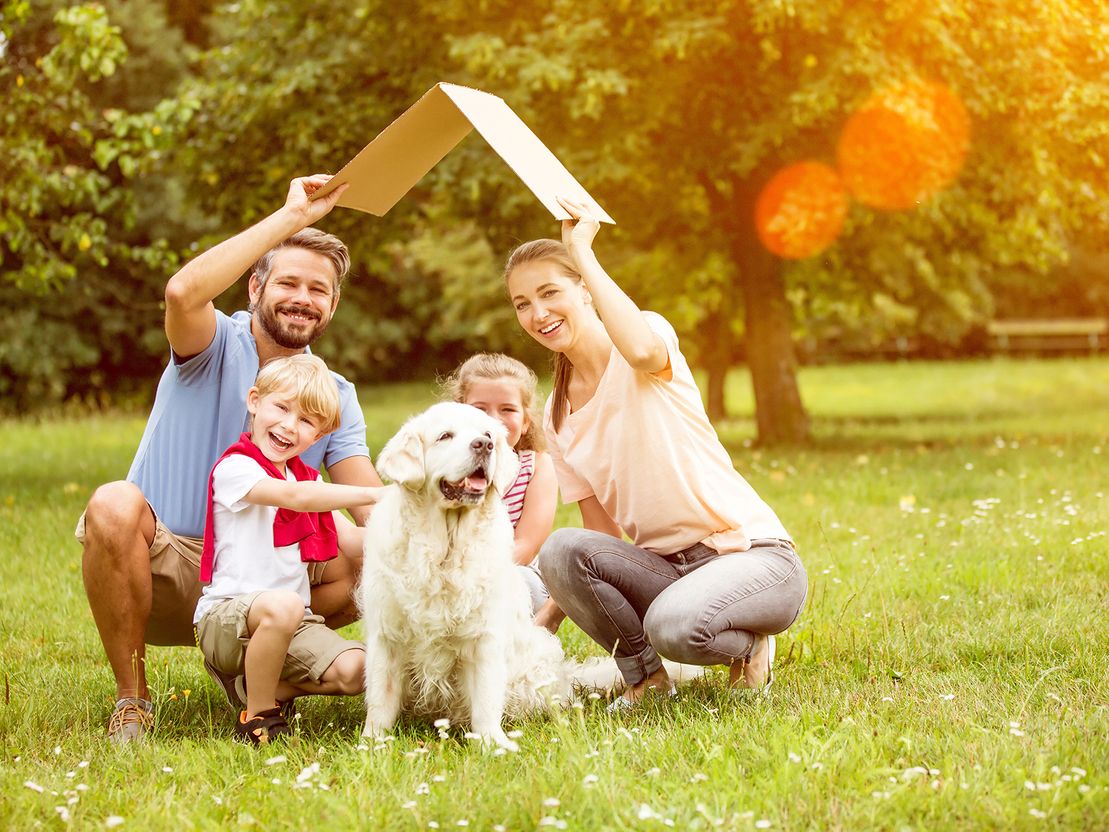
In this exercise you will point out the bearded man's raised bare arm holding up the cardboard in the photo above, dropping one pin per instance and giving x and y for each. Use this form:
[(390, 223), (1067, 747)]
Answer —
[(190, 317)]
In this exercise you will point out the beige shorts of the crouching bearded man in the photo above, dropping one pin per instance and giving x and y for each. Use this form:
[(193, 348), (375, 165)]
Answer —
[(176, 584)]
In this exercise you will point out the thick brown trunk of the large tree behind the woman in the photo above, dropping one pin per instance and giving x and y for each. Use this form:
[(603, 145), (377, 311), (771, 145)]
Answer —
[(771, 356)]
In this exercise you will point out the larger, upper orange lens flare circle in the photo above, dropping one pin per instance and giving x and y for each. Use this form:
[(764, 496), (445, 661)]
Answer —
[(907, 144)]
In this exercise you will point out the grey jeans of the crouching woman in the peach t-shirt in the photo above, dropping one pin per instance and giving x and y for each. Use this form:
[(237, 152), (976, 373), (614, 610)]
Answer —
[(697, 606)]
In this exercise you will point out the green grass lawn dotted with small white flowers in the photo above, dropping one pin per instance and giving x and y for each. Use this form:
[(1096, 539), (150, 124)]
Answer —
[(949, 673)]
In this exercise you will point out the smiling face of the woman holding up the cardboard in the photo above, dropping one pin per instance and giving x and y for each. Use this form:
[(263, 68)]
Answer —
[(550, 306)]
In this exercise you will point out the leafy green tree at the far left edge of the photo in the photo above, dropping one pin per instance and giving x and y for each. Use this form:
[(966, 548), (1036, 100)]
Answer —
[(79, 269)]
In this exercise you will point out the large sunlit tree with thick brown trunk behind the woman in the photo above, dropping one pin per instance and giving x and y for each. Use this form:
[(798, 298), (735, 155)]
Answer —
[(680, 113)]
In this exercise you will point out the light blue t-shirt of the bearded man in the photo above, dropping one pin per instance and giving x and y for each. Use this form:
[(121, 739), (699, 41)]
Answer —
[(200, 411)]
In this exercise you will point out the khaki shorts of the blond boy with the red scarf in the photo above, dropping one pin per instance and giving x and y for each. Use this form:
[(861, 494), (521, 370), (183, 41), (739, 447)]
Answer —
[(223, 636)]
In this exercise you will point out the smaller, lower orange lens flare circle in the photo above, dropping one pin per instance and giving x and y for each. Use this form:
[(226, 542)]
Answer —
[(801, 210)]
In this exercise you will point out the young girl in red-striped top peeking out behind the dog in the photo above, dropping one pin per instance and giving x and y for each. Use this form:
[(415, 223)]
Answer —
[(505, 389)]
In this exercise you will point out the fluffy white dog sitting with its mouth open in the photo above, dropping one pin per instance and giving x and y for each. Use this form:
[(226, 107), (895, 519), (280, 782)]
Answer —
[(447, 618)]
